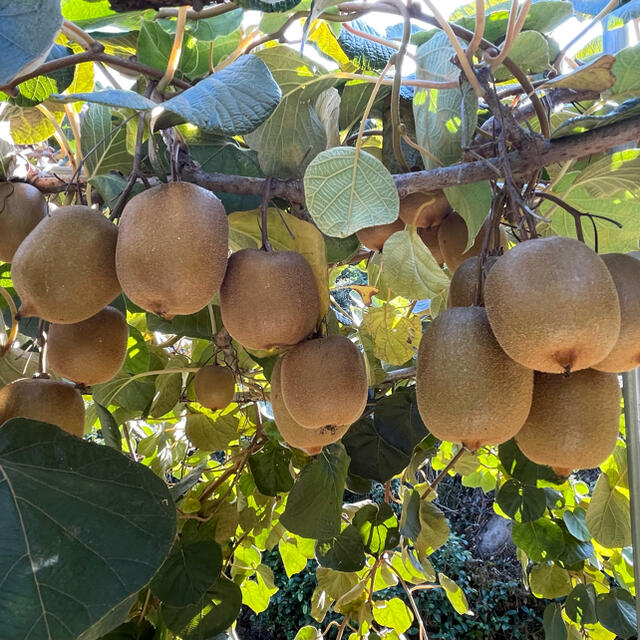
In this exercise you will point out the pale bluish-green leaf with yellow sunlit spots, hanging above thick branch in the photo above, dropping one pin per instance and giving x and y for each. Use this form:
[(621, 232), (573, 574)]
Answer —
[(445, 118)]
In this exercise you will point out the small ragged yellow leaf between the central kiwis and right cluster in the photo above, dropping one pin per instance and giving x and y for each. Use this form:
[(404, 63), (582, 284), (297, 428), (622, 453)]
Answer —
[(395, 336)]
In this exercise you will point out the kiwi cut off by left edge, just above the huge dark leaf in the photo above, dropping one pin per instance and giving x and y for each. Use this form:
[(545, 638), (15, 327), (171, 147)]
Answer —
[(45, 400)]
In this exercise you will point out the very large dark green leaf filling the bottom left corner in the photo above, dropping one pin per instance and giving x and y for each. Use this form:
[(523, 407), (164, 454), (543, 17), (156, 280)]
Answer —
[(84, 528)]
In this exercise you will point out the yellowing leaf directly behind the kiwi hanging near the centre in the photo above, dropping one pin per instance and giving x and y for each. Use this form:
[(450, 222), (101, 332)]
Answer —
[(244, 232)]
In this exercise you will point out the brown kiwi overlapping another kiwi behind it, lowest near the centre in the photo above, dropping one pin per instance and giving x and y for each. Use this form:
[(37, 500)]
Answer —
[(324, 382)]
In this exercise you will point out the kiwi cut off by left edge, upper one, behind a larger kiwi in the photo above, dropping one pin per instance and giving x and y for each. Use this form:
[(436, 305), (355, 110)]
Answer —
[(22, 207)]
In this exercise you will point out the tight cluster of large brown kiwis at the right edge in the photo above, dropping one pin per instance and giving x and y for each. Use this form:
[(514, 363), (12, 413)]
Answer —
[(530, 347)]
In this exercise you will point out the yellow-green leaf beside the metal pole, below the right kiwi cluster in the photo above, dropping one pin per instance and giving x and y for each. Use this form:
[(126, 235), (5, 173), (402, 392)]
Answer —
[(608, 515)]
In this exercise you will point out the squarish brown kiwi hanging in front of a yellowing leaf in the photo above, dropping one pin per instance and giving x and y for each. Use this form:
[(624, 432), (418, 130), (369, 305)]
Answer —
[(269, 298)]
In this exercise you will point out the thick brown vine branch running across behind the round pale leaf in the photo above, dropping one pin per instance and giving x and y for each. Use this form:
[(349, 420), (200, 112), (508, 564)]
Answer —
[(538, 154)]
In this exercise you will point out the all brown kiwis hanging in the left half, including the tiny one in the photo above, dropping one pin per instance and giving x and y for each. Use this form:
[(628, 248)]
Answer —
[(170, 255)]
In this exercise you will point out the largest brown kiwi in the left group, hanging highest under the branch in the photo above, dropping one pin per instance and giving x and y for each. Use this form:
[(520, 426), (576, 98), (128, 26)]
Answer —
[(172, 248)]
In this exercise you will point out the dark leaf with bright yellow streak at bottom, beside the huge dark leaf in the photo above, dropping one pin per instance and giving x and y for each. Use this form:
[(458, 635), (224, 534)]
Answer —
[(212, 615)]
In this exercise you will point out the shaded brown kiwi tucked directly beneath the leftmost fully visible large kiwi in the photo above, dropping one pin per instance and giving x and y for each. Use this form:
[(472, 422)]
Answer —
[(91, 351)]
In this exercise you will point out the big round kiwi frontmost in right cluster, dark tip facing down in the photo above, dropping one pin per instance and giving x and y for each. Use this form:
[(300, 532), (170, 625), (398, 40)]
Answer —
[(553, 305)]
